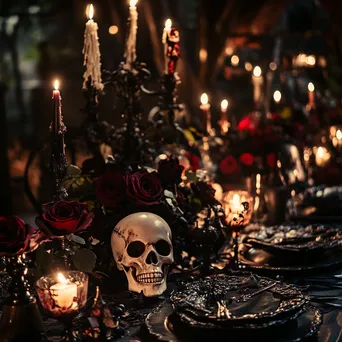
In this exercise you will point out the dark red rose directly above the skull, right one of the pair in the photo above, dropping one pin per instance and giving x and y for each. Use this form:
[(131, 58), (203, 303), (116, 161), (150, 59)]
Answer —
[(144, 188)]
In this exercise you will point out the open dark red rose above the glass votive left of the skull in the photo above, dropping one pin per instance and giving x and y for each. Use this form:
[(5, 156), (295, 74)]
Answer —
[(64, 217)]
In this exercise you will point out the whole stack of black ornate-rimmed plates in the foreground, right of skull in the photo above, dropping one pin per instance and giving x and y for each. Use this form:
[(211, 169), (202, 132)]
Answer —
[(238, 307)]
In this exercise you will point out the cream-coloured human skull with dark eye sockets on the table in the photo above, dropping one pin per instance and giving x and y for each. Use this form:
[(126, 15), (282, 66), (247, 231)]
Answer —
[(142, 248)]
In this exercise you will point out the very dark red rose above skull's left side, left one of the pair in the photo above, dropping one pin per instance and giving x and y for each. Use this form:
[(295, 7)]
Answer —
[(110, 188)]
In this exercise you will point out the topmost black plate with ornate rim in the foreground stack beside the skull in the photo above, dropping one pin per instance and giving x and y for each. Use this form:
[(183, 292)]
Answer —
[(199, 300)]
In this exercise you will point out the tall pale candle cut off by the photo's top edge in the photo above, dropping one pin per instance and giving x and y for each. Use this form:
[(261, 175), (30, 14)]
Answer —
[(131, 41)]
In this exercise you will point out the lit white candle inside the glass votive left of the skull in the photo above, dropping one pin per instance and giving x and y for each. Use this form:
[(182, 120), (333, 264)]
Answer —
[(63, 292)]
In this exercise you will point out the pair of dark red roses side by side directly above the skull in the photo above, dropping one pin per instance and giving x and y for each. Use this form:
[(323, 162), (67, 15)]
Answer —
[(142, 188)]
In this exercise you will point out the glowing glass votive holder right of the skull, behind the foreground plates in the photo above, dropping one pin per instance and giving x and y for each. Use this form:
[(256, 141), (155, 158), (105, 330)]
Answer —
[(232, 205)]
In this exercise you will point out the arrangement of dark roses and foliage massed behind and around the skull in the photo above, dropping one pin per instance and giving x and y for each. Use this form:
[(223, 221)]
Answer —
[(120, 191)]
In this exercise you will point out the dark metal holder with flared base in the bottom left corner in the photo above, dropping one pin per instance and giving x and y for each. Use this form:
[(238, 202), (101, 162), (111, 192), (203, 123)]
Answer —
[(21, 319)]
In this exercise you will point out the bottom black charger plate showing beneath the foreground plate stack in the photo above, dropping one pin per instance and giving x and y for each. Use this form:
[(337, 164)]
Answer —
[(161, 324)]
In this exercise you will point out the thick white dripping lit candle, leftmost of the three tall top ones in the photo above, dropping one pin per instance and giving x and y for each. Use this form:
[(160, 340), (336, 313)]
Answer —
[(91, 52)]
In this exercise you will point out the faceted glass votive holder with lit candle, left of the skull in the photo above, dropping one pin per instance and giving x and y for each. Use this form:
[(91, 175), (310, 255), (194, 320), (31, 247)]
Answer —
[(63, 294)]
